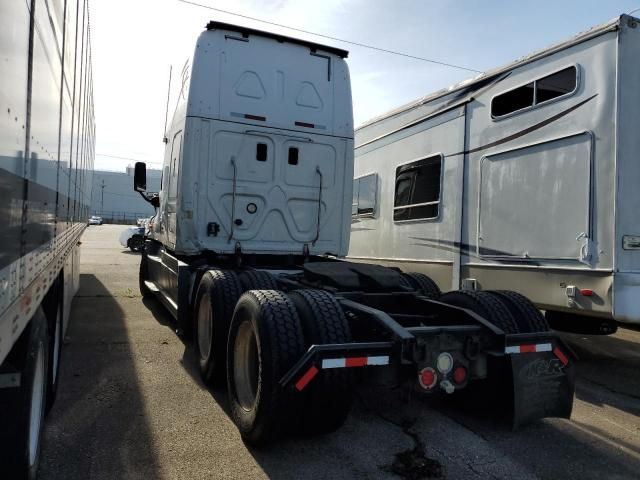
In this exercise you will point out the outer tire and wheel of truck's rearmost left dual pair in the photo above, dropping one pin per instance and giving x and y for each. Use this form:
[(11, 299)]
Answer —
[(260, 408)]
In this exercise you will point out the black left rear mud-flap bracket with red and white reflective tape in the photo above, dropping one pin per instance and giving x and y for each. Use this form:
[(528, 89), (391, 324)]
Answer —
[(345, 355)]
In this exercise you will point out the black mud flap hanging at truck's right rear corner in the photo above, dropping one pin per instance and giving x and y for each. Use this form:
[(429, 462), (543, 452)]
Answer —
[(543, 386)]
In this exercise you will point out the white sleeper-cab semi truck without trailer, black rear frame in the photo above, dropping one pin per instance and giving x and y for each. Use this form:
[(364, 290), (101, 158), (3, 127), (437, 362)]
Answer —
[(253, 218)]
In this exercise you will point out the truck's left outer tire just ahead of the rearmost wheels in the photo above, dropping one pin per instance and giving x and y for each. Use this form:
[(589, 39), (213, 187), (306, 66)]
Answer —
[(216, 297)]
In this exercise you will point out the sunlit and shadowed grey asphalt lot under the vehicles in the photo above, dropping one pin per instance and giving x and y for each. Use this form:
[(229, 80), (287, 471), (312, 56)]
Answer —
[(131, 406)]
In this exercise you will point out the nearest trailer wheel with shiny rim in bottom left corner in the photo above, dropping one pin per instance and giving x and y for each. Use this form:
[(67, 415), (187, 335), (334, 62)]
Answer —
[(23, 407)]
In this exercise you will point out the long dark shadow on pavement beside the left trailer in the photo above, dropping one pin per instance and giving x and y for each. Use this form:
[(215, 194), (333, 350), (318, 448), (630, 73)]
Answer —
[(98, 423)]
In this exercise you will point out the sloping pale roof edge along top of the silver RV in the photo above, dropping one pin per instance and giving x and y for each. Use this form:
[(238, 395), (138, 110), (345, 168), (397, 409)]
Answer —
[(579, 38)]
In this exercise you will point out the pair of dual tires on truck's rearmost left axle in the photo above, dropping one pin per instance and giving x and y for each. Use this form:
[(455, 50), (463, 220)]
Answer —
[(269, 333)]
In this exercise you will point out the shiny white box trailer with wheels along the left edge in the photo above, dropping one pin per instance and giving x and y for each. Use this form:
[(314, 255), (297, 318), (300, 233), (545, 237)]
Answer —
[(46, 158)]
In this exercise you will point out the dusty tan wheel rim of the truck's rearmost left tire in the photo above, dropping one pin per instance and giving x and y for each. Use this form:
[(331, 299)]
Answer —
[(246, 366)]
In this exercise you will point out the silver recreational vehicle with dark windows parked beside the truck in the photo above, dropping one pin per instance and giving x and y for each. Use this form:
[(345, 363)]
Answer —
[(524, 178)]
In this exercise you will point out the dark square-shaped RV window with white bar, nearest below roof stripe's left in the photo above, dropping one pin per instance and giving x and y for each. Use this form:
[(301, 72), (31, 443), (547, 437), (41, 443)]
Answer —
[(417, 194)]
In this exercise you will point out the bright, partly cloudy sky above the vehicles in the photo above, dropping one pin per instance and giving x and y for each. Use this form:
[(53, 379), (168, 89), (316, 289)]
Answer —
[(136, 41)]
